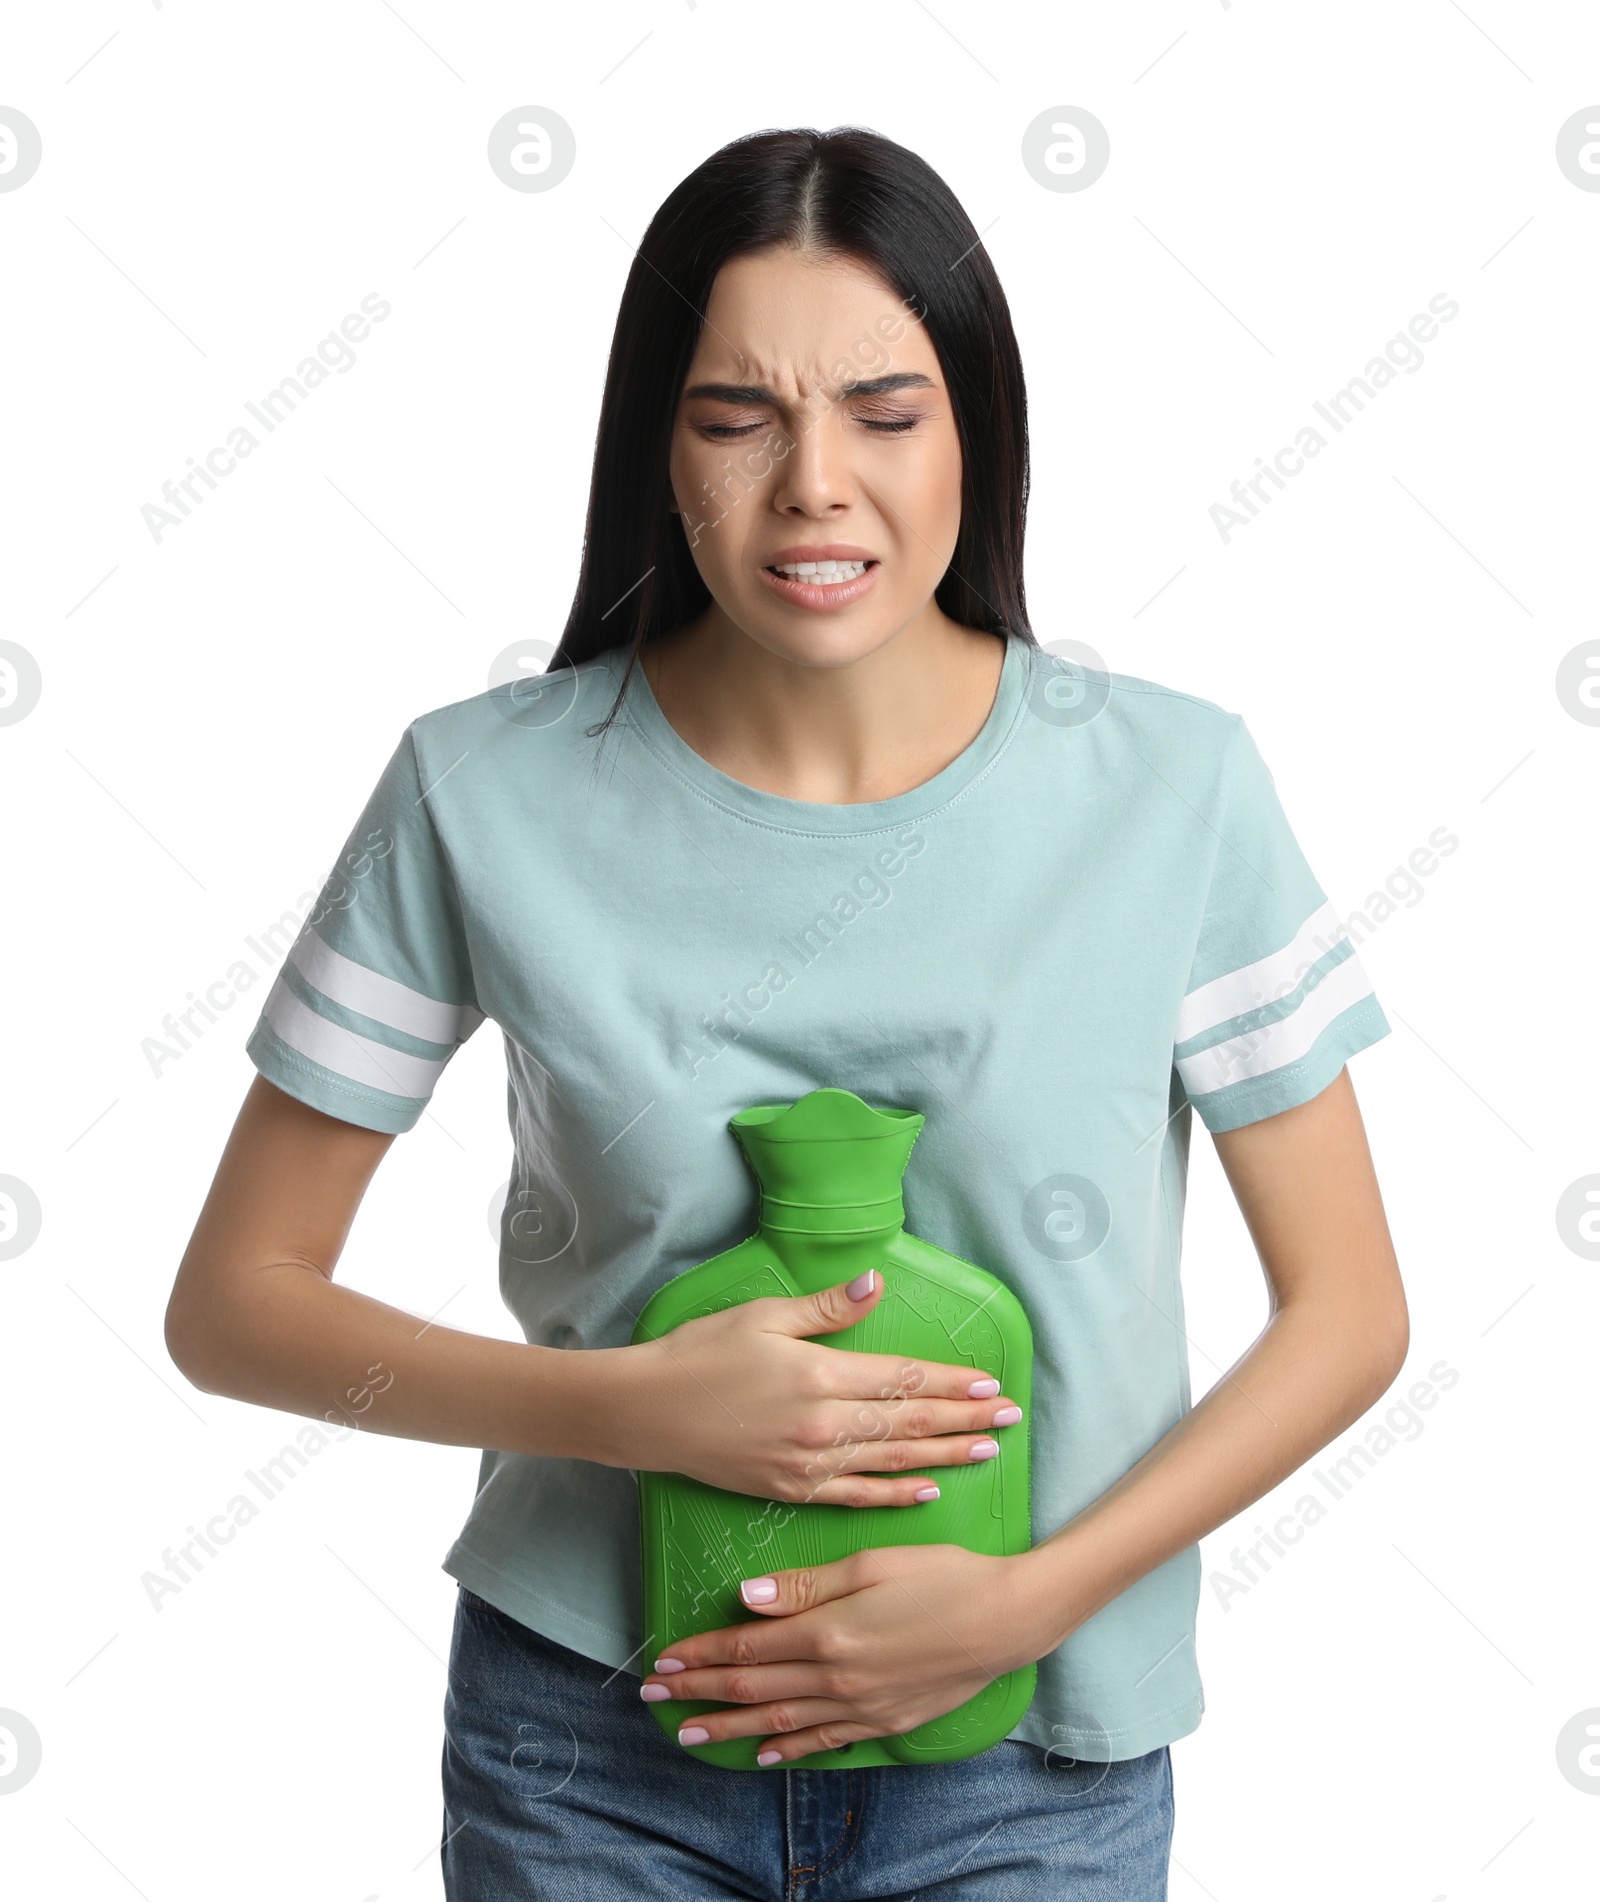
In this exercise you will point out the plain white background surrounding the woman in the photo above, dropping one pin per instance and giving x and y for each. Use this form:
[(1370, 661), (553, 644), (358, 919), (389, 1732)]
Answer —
[(1287, 189)]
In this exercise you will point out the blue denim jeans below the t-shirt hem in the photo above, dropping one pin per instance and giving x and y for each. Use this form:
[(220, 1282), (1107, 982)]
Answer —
[(560, 1787)]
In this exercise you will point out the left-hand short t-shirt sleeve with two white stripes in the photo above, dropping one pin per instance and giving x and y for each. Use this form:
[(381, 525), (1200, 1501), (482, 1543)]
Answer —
[(376, 996)]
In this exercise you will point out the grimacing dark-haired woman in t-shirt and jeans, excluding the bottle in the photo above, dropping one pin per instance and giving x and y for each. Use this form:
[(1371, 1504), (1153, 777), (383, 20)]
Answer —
[(804, 804)]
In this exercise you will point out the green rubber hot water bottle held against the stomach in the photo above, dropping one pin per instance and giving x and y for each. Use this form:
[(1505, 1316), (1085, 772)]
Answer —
[(830, 1171)]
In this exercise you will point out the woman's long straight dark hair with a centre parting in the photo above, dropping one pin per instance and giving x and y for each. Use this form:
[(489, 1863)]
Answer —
[(846, 193)]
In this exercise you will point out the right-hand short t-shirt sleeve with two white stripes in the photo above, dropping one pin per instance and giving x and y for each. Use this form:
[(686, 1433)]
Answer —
[(1278, 1000)]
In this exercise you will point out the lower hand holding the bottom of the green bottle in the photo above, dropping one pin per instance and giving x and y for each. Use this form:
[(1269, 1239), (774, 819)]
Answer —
[(868, 1646)]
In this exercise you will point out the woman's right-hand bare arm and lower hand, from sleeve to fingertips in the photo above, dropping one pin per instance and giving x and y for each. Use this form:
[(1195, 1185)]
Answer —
[(884, 1640)]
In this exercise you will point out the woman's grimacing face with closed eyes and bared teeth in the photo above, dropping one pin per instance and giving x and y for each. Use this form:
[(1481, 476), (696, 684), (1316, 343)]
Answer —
[(815, 427)]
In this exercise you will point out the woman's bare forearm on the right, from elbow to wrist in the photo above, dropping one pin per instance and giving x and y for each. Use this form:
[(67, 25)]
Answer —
[(1308, 1376)]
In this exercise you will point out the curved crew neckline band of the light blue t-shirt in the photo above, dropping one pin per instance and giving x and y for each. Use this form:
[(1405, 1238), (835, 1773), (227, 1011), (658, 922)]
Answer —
[(819, 817)]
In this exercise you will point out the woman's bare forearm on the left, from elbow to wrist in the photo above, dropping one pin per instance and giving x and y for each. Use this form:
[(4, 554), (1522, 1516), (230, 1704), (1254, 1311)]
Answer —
[(290, 1338)]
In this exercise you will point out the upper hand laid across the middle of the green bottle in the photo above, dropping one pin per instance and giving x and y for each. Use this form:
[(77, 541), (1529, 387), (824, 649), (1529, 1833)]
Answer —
[(745, 1403)]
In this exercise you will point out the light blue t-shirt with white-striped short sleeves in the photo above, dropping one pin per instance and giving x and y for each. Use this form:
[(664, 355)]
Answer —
[(1087, 927)]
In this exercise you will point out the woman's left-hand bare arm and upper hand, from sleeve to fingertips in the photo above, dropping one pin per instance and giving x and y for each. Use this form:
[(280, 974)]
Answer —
[(737, 1399)]
